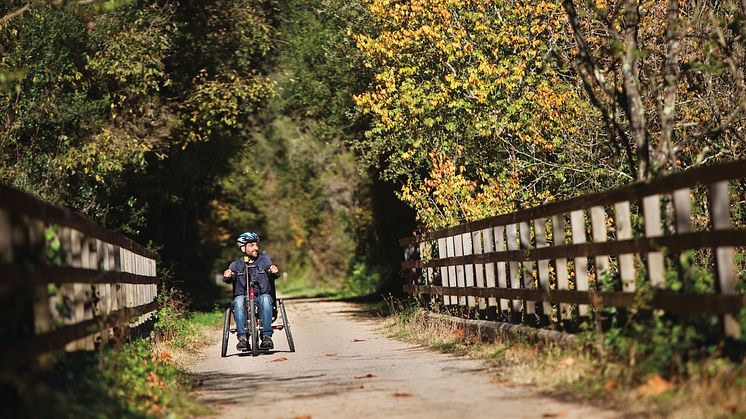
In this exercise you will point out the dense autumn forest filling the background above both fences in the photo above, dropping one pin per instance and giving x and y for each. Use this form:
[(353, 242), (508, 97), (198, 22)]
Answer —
[(334, 127)]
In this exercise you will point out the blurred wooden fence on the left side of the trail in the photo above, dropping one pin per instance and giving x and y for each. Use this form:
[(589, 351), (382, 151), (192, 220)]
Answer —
[(66, 282)]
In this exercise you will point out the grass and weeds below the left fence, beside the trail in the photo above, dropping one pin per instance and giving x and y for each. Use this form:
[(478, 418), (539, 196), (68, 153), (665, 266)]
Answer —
[(137, 379)]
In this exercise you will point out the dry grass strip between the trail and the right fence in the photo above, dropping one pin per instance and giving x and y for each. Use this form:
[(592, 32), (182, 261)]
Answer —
[(714, 387)]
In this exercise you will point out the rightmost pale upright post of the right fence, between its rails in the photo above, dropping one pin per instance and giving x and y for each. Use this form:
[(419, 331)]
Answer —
[(724, 266)]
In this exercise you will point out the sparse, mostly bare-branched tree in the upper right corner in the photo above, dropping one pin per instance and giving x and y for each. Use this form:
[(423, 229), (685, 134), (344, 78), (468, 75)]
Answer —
[(666, 77)]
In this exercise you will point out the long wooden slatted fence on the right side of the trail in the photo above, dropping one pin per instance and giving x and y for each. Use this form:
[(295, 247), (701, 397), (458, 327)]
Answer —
[(656, 243)]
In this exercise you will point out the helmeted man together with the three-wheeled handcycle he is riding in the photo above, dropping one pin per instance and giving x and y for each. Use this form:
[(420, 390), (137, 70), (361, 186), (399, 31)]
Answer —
[(253, 304)]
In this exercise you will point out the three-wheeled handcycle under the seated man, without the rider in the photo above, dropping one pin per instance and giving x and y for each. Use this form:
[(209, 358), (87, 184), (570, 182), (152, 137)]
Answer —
[(254, 325)]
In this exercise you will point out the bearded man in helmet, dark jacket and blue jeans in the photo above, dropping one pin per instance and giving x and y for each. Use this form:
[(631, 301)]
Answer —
[(262, 274)]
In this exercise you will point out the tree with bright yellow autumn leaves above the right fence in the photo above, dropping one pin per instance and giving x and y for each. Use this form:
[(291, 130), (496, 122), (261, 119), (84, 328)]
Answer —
[(469, 91)]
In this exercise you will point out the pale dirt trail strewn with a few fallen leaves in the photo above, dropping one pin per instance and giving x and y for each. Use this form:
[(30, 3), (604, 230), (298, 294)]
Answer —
[(345, 367)]
